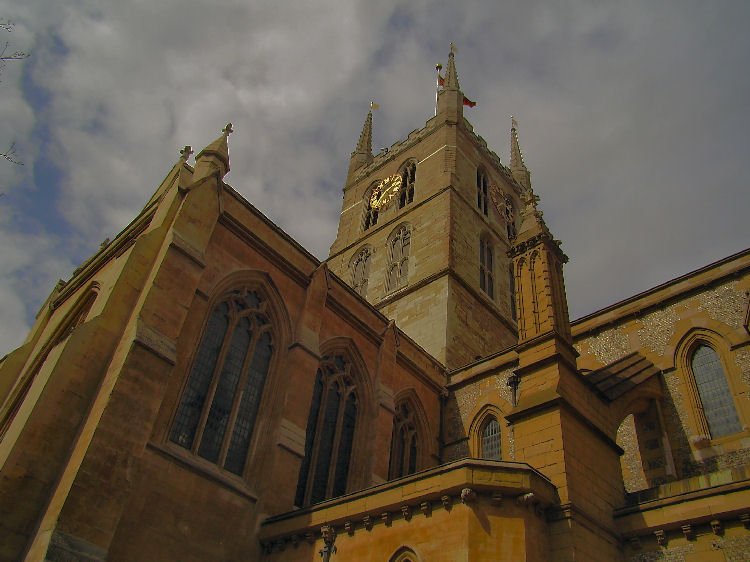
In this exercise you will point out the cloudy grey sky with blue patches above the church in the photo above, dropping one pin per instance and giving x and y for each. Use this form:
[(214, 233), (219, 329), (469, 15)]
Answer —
[(634, 120)]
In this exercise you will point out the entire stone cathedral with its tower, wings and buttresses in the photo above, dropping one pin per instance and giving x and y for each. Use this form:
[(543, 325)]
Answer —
[(203, 388)]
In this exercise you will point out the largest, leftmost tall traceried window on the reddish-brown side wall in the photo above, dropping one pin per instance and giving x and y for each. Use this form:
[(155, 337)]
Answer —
[(220, 402)]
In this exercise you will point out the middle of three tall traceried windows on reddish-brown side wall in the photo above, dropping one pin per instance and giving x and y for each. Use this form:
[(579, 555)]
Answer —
[(330, 433)]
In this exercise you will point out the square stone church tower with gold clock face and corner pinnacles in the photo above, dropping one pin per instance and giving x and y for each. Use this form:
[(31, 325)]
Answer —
[(425, 227)]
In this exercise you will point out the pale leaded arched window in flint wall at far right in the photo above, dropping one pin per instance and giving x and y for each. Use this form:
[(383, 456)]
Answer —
[(715, 395)]
